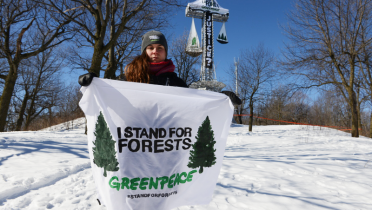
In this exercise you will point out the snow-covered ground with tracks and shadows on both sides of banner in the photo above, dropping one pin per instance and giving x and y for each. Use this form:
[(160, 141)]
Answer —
[(274, 167)]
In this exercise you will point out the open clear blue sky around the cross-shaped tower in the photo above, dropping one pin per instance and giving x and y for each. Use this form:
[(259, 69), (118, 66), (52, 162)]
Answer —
[(250, 22)]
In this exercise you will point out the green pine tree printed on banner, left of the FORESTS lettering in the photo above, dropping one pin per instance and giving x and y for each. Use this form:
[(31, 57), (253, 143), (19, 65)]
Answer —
[(104, 151)]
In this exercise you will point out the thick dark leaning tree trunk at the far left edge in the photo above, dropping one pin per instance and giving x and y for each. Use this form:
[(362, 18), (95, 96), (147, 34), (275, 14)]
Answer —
[(7, 95)]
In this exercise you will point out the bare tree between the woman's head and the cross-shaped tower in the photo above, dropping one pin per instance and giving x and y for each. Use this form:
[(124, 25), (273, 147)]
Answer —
[(186, 65)]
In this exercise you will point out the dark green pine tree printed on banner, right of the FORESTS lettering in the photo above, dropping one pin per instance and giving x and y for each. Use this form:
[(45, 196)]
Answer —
[(202, 153)]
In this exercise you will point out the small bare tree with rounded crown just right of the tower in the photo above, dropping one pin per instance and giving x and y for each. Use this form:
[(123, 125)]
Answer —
[(255, 72)]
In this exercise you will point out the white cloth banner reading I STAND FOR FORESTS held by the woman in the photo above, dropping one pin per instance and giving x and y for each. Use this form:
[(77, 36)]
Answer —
[(152, 146)]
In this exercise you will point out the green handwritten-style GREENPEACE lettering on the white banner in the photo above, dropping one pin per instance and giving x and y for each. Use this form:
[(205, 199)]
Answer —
[(151, 182)]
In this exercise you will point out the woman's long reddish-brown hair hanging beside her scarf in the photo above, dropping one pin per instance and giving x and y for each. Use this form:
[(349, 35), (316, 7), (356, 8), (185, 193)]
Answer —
[(137, 70)]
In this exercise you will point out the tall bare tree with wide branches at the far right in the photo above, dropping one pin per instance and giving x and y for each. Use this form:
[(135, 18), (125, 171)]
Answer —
[(325, 43)]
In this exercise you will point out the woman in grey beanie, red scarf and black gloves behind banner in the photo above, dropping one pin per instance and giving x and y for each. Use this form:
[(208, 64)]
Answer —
[(152, 66)]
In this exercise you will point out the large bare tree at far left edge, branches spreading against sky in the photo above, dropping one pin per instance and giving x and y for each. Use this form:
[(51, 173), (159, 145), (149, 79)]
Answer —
[(26, 29)]
